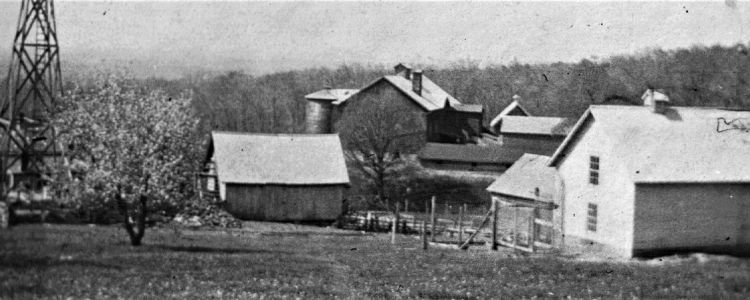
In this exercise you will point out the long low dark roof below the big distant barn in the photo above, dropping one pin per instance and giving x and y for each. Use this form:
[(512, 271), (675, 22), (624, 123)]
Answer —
[(470, 153)]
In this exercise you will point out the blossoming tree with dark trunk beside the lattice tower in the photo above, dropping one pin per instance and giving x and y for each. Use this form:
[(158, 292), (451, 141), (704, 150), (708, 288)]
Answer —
[(130, 146)]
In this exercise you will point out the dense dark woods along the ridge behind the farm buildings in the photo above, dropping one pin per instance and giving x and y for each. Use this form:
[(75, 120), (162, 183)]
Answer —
[(707, 76)]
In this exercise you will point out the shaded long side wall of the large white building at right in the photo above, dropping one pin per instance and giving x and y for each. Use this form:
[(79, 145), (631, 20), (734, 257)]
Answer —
[(708, 217)]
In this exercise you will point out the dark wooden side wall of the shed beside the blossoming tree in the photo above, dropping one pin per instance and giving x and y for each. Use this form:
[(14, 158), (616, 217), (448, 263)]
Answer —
[(284, 203)]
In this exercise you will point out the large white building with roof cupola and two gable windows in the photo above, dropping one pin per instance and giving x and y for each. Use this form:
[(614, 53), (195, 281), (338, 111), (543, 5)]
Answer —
[(641, 180)]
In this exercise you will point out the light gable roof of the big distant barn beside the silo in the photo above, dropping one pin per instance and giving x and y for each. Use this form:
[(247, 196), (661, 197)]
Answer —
[(432, 97)]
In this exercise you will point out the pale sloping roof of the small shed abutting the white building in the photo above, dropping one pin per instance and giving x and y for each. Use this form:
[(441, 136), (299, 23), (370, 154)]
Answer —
[(525, 176)]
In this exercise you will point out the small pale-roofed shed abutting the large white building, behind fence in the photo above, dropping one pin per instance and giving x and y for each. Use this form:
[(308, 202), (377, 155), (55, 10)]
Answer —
[(527, 199)]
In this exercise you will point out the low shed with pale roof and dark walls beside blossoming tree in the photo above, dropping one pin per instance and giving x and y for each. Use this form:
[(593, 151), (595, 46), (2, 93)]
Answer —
[(279, 177)]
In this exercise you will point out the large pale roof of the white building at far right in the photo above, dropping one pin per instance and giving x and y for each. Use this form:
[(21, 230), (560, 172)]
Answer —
[(684, 144)]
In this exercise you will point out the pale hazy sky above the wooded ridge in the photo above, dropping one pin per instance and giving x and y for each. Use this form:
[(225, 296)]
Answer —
[(260, 37)]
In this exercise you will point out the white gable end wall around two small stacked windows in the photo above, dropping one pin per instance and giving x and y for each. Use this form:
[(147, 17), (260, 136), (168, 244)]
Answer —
[(613, 196)]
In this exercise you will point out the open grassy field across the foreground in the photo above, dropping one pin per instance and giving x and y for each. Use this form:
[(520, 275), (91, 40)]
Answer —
[(266, 260)]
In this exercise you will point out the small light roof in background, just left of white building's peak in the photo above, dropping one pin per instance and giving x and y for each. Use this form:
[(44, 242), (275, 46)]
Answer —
[(536, 125)]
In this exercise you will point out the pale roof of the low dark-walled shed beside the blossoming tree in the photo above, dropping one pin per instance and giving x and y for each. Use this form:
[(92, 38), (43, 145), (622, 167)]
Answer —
[(289, 159)]
